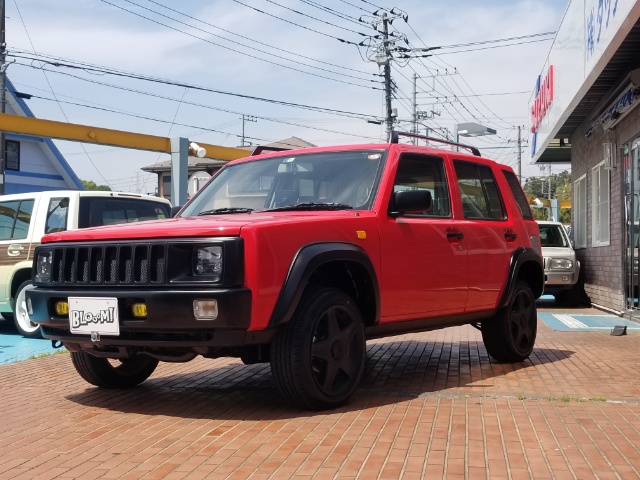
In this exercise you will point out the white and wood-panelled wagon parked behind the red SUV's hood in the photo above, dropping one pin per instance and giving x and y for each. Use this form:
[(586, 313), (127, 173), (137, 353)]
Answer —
[(26, 217)]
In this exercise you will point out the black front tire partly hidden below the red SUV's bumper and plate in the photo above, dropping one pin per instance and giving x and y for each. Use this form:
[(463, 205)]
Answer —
[(101, 373)]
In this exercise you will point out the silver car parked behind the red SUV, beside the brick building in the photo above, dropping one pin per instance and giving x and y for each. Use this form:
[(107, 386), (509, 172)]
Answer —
[(561, 267)]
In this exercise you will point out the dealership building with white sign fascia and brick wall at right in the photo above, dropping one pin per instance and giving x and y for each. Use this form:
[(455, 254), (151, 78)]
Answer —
[(584, 111)]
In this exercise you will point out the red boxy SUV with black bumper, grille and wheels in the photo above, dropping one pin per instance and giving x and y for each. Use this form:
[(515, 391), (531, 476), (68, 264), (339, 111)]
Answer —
[(296, 258)]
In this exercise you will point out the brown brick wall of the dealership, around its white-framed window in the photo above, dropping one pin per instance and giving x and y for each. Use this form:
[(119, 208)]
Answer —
[(603, 265)]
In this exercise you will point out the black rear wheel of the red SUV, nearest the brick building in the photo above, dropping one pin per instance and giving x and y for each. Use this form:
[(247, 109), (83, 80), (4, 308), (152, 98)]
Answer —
[(511, 334)]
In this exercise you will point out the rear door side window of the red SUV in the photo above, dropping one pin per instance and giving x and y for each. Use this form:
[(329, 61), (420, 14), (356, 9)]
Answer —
[(480, 195)]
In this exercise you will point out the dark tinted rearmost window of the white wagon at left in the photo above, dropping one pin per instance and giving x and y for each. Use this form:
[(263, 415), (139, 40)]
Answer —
[(99, 211)]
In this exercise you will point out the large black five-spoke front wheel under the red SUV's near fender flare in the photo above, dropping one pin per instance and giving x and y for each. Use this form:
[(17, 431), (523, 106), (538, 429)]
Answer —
[(317, 359)]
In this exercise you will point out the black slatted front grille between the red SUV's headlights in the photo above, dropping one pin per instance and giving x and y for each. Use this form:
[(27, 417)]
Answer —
[(111, 264)]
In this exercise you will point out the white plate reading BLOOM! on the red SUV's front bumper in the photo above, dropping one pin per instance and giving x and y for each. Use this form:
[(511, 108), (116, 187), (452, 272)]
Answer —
[(89, 315)]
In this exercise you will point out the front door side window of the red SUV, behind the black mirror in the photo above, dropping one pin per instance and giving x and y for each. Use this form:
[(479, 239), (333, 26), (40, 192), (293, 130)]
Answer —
[(416, 172)]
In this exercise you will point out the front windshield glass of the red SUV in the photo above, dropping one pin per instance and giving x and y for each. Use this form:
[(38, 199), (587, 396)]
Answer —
[(337, 180)]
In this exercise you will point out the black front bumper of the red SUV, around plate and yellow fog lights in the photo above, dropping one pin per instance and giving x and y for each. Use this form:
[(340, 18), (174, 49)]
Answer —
[(169, 322)]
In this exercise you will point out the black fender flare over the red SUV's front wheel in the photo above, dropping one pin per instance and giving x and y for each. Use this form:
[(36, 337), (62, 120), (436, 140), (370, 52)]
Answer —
[(306, 261)]
